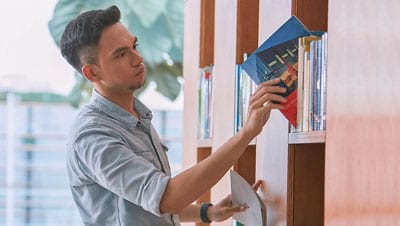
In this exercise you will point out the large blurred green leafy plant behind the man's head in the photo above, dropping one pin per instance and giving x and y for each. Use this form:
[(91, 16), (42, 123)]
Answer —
[(159, 27)]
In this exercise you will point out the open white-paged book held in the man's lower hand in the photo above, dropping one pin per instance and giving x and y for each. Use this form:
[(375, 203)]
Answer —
[(243, 194)]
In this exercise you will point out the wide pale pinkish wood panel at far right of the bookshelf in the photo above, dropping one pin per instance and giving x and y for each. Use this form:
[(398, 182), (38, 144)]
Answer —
[(362, 148)]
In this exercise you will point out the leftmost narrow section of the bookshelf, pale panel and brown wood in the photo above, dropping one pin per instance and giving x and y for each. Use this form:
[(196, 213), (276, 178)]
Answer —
[(199, 53)]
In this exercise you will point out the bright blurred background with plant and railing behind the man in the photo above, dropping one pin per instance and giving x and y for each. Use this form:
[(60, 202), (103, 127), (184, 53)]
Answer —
[(40, 94)]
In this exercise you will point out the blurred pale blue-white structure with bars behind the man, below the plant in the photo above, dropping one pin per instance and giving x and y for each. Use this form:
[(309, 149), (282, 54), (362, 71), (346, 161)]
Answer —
[(34, 187)]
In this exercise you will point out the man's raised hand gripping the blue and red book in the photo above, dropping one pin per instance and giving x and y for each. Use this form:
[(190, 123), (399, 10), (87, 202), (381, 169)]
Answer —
[(261, 103)]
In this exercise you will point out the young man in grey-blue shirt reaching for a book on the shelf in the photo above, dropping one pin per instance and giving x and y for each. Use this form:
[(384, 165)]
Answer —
[(118, 168)]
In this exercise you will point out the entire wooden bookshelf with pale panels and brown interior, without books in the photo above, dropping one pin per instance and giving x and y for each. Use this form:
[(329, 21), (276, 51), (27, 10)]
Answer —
[(346, 175)]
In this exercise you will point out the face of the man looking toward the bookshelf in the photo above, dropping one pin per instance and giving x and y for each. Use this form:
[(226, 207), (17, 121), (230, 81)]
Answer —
[(120, 64)]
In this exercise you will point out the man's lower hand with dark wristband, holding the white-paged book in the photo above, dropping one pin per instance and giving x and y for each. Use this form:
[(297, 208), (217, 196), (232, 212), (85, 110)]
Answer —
[(224, 209)]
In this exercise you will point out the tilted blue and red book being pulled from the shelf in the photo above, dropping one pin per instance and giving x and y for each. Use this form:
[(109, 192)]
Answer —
[(278, 57)]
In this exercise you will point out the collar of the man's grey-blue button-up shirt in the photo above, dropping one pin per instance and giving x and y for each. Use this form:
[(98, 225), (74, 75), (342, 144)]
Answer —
[(115, 111)]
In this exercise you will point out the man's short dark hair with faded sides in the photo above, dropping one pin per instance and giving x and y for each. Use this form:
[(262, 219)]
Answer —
[(80, 38)]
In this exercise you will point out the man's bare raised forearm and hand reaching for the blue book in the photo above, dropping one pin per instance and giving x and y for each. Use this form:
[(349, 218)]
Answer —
[(187, 186)]
